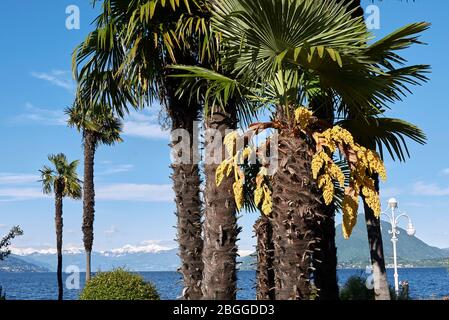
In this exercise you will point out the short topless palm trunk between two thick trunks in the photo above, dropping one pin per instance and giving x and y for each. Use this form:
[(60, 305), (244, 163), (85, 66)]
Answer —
[(265, 248)]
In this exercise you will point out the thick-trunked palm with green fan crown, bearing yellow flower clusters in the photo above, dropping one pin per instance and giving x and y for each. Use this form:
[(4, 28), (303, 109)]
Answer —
[(331, 52)]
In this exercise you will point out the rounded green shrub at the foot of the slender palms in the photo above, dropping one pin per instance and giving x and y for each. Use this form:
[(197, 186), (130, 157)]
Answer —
[(118, 285)]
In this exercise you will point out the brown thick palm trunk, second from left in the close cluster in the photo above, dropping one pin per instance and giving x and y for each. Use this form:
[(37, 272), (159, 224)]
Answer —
[(220, 223)]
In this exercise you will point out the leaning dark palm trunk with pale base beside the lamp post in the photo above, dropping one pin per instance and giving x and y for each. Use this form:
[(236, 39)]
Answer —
[(381, 288)]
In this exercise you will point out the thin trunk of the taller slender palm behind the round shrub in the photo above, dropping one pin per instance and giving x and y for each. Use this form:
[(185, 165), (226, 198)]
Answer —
[(88, 198)]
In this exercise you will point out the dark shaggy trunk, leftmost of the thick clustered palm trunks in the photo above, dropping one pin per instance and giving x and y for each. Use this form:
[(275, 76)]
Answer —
[(186, 184)]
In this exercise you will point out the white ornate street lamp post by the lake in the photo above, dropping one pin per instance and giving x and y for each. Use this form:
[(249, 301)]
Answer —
[(394, 219)]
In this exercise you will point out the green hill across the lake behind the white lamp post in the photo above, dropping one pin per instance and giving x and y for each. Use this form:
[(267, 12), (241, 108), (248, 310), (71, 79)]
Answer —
[(354, 252)]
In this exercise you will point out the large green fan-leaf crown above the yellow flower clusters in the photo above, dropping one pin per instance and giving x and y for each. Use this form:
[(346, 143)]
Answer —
[(285, 55)]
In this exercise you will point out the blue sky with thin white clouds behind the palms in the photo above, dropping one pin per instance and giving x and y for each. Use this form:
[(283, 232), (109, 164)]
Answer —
[(134, 205)]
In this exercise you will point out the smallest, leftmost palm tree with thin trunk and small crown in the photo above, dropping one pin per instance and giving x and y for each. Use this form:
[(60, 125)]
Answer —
[(61, 180)]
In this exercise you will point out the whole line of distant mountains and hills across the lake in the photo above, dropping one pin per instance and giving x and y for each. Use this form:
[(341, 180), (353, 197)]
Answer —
[(351, 253)]
